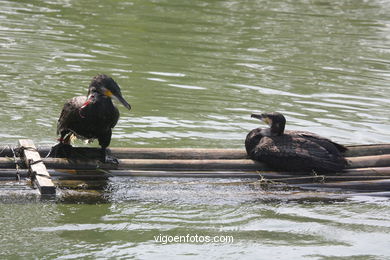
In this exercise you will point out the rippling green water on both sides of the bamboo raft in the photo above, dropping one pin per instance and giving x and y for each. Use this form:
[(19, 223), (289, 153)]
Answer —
[(193, 72)]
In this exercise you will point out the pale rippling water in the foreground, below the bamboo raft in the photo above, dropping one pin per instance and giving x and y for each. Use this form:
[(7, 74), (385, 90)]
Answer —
[(140, 208)]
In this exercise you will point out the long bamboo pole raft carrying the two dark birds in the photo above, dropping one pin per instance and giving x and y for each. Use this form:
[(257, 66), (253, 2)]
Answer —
[(368, 169)]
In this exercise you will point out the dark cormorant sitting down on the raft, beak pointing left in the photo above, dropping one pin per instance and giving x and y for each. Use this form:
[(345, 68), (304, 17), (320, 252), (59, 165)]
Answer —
[(297, 151)]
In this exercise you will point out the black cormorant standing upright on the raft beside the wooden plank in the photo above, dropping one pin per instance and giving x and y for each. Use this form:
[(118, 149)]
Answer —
[(93, 116)]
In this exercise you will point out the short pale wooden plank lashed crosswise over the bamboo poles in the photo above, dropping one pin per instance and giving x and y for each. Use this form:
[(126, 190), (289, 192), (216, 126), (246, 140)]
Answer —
[(37, 168)]
